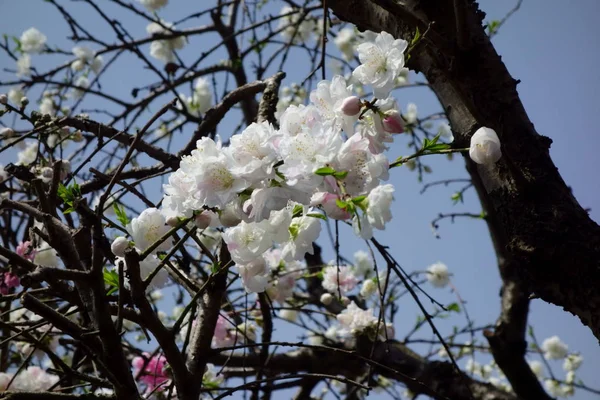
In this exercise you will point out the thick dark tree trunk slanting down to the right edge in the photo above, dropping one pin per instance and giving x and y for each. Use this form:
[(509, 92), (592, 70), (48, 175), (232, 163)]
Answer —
[(549, 236)]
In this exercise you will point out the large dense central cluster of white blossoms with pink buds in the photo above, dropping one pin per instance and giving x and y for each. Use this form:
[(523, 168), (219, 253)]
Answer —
[(268, 185)]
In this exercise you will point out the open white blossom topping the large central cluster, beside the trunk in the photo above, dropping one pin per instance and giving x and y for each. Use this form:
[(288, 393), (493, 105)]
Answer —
[(381, 63)]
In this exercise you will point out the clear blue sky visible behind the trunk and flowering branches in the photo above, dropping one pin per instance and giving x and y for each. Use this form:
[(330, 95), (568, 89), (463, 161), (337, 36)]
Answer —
[(552, 47)]
